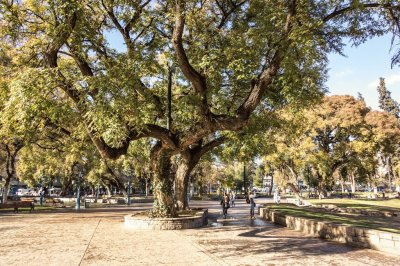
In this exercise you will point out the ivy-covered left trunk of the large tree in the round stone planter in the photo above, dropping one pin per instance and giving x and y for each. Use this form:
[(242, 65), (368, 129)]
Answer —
[(163, 181)]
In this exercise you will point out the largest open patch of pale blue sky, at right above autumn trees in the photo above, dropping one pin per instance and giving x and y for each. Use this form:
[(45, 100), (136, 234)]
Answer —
[(361, 69)]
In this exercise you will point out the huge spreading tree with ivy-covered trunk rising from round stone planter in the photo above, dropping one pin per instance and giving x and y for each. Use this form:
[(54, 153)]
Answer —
[(222, 61)]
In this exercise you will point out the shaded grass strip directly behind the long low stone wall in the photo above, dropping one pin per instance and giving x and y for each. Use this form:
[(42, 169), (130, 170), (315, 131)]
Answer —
[(377, 223)]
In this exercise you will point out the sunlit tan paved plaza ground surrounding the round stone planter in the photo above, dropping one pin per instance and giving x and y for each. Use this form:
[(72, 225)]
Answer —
[(99, 237)]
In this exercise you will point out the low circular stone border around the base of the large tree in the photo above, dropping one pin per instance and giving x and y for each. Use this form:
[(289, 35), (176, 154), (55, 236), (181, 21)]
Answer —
[(186, 222)]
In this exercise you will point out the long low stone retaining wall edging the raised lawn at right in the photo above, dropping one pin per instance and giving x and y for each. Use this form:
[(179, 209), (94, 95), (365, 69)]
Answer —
[(354, 236)]
